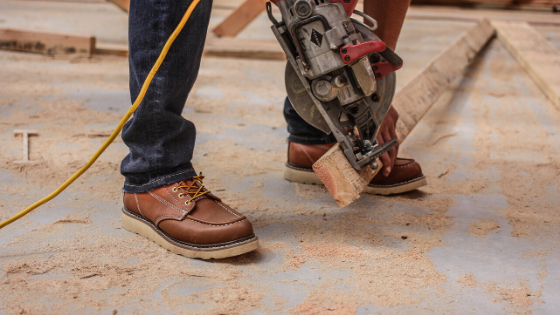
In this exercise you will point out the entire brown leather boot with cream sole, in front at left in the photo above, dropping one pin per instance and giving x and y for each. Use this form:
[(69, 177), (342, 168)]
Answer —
[(186, 219)]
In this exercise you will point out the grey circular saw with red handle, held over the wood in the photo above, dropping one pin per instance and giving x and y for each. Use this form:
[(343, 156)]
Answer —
[(339, 75)]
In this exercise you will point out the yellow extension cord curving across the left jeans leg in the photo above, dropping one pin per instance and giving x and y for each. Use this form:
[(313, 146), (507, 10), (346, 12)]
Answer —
[(119, 127)]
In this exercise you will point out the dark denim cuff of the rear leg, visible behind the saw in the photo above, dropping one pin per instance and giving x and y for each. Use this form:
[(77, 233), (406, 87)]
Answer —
[(300, 131)]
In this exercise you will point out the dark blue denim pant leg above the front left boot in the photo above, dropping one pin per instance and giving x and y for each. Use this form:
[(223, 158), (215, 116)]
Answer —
[(160, 140)]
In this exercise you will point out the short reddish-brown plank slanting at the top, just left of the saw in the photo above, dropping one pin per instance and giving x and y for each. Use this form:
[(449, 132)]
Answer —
[(240, 18)]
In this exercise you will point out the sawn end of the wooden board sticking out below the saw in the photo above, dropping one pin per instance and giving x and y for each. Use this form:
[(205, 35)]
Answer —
[(340, 178)]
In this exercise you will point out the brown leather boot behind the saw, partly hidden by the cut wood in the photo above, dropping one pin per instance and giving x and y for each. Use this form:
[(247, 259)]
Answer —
[(406, 174)]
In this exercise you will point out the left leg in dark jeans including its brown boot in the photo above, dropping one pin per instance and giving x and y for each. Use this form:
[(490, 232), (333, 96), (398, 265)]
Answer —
[(164, 200)]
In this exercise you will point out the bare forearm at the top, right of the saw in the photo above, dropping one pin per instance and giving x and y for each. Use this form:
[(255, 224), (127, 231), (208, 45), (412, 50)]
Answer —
[(389, 15)]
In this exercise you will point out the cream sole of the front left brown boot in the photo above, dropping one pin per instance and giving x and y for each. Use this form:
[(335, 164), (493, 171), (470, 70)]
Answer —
[(136, 224)]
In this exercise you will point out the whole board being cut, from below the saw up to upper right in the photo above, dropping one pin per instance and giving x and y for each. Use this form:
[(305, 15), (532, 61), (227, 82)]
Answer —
[(412, 102)]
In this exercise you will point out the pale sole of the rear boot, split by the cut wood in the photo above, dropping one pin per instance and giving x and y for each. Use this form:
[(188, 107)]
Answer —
[(306, 176)]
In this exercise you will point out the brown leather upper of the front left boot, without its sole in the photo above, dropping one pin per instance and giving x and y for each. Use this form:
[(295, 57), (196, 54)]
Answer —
[(205, 220)]
